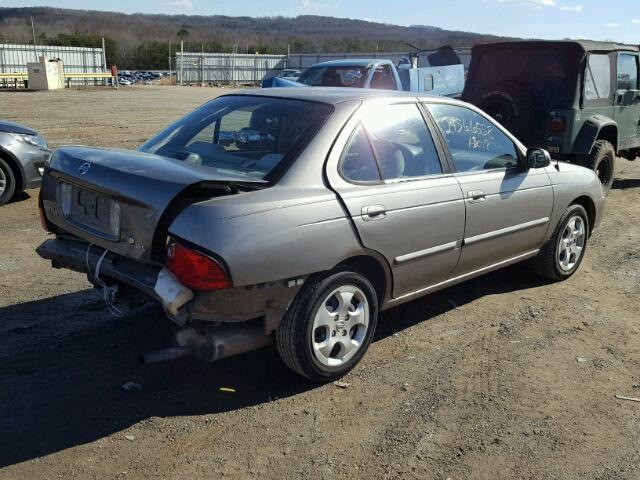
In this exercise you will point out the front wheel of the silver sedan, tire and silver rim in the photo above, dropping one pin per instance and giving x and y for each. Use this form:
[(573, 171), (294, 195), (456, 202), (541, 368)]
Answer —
[(563, 253)]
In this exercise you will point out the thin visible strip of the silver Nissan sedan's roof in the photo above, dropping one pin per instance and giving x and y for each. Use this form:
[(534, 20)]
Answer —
[(330, 95)]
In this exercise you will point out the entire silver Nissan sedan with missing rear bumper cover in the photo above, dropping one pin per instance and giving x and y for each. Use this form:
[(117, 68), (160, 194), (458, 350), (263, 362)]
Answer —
[(296, 215)]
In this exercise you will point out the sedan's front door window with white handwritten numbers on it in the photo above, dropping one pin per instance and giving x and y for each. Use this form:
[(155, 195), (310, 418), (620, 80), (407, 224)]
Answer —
[(475, 142)]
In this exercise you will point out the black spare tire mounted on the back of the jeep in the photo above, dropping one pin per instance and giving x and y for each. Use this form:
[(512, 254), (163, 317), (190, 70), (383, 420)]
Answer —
[(512, 105)]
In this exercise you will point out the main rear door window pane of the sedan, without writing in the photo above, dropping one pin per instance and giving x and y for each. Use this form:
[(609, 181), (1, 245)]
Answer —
[(402, 143)]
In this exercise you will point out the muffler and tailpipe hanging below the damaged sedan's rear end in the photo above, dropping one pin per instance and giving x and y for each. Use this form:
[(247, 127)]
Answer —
[(217, 343)]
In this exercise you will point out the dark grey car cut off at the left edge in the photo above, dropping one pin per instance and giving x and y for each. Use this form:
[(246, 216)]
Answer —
[(23, 153)]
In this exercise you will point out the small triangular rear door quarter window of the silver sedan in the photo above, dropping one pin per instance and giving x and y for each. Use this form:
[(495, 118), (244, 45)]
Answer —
[(358, 163)]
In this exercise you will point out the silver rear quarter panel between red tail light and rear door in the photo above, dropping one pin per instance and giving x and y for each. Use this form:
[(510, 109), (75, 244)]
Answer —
[(285, 233)]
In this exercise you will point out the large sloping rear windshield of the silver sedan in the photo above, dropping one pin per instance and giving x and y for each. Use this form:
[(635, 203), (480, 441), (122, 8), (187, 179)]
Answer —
[(241, 135)]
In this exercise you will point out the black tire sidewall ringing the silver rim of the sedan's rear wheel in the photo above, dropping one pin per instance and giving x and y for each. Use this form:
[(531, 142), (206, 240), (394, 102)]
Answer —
[(308, 311)]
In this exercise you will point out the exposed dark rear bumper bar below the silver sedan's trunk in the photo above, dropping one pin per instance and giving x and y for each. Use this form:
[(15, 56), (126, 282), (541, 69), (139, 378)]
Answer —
[(154, 281)]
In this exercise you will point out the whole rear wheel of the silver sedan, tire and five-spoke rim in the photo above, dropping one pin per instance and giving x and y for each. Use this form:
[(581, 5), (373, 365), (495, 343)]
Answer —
[(329, 325)]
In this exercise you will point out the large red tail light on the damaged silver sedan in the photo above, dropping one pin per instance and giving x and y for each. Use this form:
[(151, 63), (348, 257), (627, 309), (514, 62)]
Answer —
[(194, 269)]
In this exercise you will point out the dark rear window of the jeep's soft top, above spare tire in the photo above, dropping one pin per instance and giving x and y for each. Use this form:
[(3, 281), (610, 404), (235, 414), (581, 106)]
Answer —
[(549, 73)]
